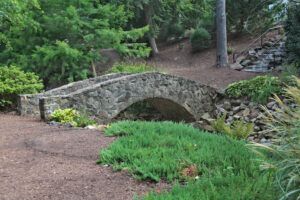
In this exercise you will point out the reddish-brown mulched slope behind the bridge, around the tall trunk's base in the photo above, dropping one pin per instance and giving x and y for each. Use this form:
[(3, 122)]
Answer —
[(201, 66)]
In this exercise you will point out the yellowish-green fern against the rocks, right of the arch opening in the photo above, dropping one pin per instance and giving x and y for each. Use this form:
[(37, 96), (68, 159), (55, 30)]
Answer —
[(238, 129)]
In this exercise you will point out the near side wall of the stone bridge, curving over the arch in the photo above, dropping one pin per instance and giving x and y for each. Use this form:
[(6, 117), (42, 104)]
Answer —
[(106, 99)]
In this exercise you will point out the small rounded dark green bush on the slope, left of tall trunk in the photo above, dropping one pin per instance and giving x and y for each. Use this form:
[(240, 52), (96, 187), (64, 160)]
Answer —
[(200, 39)]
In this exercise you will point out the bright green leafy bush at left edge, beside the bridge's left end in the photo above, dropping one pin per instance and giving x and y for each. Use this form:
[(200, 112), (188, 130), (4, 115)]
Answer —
[(14, 81)]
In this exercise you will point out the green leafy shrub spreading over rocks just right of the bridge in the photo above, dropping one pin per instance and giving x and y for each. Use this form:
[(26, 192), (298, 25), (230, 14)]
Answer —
[(259, 89)]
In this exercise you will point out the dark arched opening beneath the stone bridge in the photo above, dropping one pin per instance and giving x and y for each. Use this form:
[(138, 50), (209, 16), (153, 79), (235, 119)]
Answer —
[(155, 109)]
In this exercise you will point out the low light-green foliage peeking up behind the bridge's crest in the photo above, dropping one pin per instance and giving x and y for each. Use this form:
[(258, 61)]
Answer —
[(131, 68)]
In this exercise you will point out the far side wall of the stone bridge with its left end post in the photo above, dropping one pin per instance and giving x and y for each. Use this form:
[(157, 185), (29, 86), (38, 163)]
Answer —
[(28, 104)]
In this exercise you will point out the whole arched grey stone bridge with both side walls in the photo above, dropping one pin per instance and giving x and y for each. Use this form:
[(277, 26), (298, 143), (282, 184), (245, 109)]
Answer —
[(106, 96)]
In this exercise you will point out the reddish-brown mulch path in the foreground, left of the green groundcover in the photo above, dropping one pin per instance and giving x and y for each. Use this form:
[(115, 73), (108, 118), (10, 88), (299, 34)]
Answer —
[(38, 161)]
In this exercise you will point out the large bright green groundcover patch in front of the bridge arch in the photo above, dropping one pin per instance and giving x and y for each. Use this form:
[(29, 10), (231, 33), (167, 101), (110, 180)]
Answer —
[(222, 168)]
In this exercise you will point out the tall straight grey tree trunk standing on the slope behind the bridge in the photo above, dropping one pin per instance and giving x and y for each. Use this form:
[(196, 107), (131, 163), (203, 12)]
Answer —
[(222, 56)]
